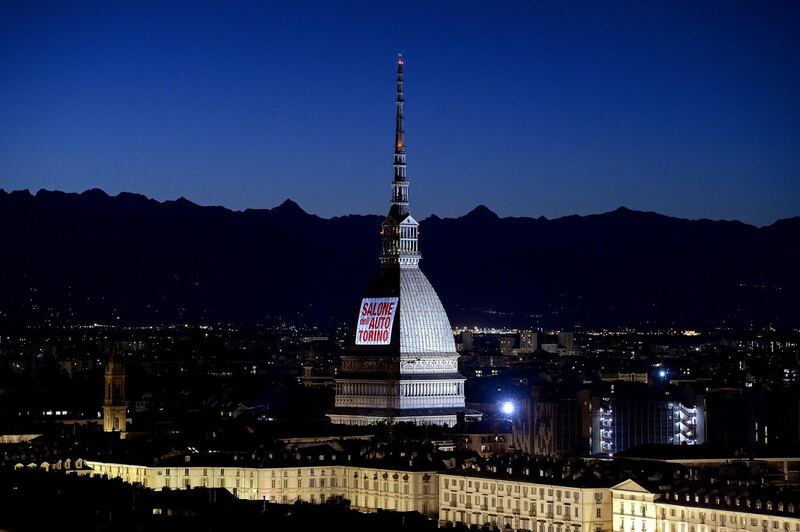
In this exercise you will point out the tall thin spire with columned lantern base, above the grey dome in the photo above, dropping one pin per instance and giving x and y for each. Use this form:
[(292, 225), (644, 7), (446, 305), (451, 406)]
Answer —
[(399, 230)]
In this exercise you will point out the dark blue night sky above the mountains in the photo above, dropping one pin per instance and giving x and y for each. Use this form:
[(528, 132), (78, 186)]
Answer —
[(530, 107)]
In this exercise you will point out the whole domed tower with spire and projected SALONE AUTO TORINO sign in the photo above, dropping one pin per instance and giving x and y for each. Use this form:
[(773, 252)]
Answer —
[(401, 364)]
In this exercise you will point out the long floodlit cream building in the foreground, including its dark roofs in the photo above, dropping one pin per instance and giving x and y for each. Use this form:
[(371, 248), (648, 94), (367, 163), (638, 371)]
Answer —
[(530, 499)]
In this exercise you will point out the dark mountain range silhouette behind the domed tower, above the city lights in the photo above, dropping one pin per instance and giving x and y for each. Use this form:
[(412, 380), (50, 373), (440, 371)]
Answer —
[(76, 258)]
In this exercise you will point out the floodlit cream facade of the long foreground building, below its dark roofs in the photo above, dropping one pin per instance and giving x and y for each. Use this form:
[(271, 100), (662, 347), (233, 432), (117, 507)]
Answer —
[(467, 499)]
